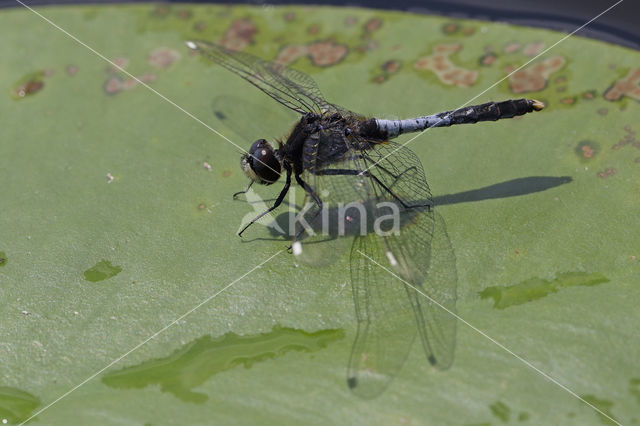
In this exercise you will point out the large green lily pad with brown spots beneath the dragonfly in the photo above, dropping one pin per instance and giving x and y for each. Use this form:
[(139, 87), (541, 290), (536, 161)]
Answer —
[(116, 220)]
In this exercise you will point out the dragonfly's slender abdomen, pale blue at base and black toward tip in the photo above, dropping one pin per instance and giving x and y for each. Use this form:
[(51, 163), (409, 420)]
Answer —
[(490, 111)]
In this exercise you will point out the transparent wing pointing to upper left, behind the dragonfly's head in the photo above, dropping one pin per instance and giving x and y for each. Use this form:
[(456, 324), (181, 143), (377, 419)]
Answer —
[(293, 89)]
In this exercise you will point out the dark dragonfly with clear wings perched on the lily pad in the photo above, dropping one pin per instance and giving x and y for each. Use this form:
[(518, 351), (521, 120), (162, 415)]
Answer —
[(348, 163)]
